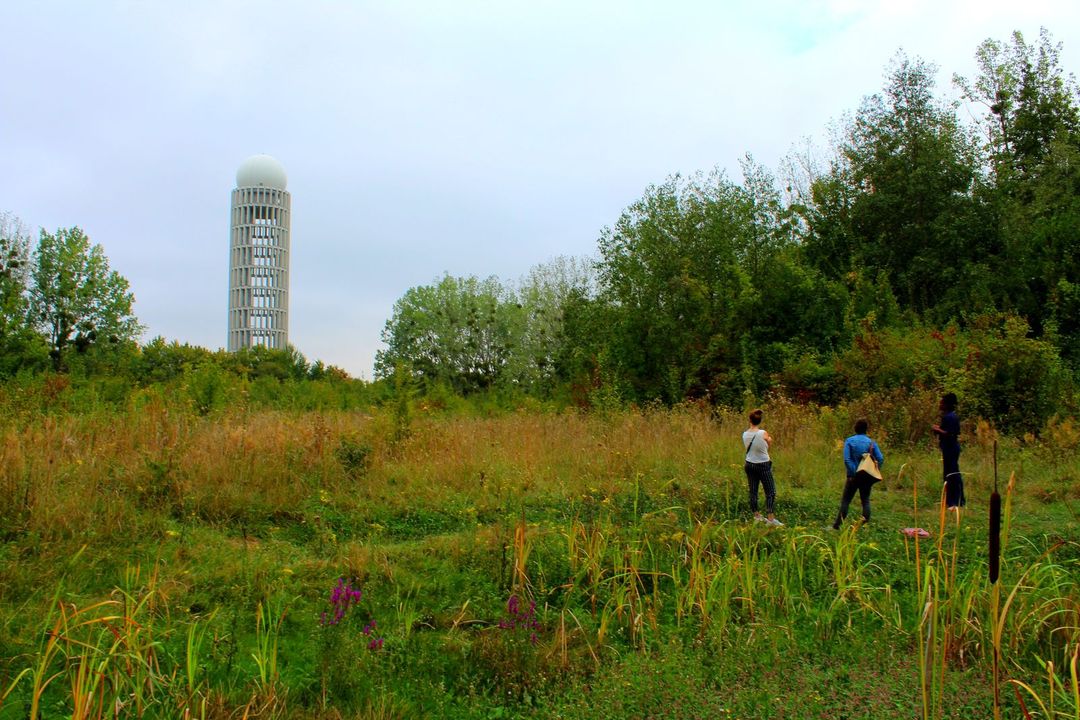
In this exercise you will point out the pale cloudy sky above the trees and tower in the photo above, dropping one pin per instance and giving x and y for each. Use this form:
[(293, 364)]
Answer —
[(423, 138)]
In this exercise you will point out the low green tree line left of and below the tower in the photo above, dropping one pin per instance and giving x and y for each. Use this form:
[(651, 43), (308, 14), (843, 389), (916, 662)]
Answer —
[(70, 341)]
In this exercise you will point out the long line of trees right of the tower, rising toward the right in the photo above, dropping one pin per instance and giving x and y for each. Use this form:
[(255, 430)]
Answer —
[(934, 244)]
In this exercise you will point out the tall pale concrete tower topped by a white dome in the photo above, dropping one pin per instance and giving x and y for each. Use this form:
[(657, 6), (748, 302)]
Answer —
[(259, 256)]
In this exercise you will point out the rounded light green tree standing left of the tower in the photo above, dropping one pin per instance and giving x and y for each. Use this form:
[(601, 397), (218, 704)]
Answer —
[(75, 300)]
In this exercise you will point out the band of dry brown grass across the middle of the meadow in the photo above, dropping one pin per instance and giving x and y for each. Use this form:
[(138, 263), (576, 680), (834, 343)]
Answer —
[(61, 476)]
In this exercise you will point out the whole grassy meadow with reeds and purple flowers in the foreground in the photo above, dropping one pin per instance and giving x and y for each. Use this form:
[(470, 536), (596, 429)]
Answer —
[(553, 565)]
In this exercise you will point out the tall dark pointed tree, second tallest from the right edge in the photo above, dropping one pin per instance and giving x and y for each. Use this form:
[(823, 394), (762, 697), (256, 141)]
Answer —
[(913, 170)]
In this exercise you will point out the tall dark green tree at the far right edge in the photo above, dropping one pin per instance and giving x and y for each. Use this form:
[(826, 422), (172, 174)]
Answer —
[(1032, 141)]
